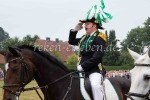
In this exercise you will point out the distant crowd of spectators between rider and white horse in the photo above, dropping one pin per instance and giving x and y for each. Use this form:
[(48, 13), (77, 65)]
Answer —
[(118, 73)]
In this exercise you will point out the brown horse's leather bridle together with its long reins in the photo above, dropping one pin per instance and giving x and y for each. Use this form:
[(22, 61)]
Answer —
[(25, 70)]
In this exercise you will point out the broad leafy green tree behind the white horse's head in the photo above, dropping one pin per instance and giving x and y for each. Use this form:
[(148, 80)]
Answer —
[(136, 40)]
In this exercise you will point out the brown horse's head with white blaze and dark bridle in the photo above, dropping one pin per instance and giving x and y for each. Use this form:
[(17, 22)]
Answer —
[(18, 72)]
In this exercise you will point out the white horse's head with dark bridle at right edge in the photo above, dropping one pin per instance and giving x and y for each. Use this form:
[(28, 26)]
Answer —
[(140, 77)]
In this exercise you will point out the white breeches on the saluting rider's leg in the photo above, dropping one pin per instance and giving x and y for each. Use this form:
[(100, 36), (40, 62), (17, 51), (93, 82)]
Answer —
[(95, 79)]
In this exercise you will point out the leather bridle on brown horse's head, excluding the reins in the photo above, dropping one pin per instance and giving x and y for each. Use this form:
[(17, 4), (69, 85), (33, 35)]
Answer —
[(24, 70)]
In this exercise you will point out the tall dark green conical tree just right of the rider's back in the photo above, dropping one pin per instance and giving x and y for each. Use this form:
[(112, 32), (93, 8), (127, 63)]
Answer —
[(112, 53)]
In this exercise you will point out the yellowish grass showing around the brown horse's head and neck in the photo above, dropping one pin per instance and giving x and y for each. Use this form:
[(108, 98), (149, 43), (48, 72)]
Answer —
[(28, 95)]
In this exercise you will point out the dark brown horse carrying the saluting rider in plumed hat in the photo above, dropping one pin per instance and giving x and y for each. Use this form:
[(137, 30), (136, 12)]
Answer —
[(55, 81)]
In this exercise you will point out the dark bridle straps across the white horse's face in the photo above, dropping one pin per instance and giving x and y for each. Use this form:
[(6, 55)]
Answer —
[(144, 96)]
